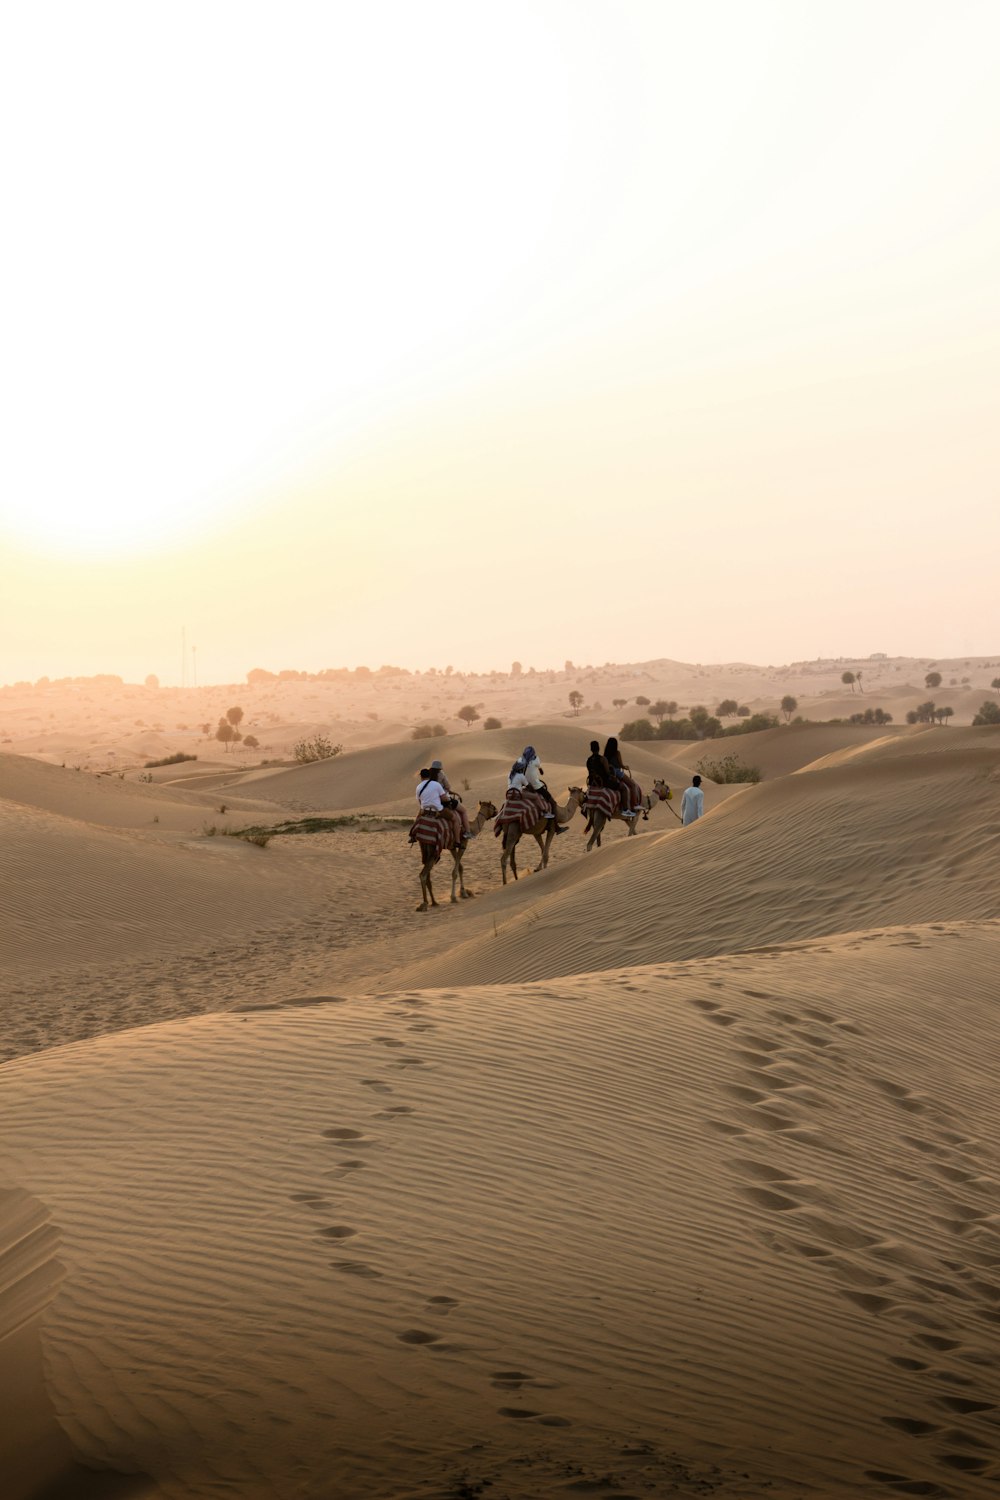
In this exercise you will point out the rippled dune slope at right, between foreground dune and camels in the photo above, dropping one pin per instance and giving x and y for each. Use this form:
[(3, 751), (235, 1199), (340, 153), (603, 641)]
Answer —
[(903, 835)]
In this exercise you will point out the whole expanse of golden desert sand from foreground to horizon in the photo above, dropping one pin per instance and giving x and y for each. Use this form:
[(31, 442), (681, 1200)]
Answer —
[(669, 1171)]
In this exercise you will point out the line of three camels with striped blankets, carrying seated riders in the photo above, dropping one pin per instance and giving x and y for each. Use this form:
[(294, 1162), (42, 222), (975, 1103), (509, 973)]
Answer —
[(530, 809)]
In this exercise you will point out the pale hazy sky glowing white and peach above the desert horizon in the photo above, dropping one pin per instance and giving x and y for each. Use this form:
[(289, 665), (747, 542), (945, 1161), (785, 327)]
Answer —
[(467, 332)]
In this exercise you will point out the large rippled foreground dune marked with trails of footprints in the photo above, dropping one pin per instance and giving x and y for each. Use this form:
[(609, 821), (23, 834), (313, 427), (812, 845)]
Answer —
[(722, 1228)]
